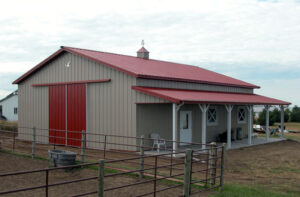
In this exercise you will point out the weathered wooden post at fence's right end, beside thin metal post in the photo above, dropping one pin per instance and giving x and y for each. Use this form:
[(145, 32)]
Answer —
[(212, 163)]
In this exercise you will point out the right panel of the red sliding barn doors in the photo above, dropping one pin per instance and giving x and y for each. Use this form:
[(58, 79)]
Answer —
[(76, 115)]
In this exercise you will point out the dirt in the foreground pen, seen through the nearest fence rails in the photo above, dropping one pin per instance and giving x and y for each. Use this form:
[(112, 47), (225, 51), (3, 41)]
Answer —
[(10, 163)]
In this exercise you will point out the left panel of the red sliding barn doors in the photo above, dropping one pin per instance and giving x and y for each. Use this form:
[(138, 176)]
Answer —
[(57, 114)]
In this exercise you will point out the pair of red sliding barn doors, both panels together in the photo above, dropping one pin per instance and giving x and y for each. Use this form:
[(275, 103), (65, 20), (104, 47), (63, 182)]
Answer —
[(67, 112)]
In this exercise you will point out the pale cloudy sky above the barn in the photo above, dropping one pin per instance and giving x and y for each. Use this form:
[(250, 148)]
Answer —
[(255, 41)]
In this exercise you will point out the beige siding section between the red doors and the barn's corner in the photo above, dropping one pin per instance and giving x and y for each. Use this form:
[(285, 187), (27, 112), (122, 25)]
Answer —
[(112, 110)]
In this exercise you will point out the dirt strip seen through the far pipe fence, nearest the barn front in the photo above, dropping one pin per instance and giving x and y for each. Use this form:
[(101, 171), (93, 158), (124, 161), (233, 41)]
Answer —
[(92, 155)]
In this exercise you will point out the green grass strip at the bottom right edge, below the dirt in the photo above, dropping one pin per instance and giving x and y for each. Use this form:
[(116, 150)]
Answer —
[(233, 190)]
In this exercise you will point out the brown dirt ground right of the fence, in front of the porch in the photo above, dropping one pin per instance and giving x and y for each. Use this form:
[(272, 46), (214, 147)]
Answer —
[(275, 166)]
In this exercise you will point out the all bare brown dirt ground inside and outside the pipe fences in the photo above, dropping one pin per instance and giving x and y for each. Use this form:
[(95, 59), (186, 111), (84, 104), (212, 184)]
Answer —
[(274, 166)]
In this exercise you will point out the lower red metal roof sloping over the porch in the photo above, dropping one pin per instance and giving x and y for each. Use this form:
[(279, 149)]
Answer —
[(195, 96)]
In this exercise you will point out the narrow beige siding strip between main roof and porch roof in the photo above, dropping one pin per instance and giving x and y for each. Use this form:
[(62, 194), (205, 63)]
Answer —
[(190, 86)]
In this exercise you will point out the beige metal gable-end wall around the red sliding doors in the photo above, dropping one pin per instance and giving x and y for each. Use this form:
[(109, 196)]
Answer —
[(111, 105)]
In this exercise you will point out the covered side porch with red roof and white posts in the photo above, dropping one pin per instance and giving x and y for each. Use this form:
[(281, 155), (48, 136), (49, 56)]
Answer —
[(215, 114)]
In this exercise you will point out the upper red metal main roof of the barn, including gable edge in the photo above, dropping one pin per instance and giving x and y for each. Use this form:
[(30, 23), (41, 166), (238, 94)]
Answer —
[(147, 68)]
